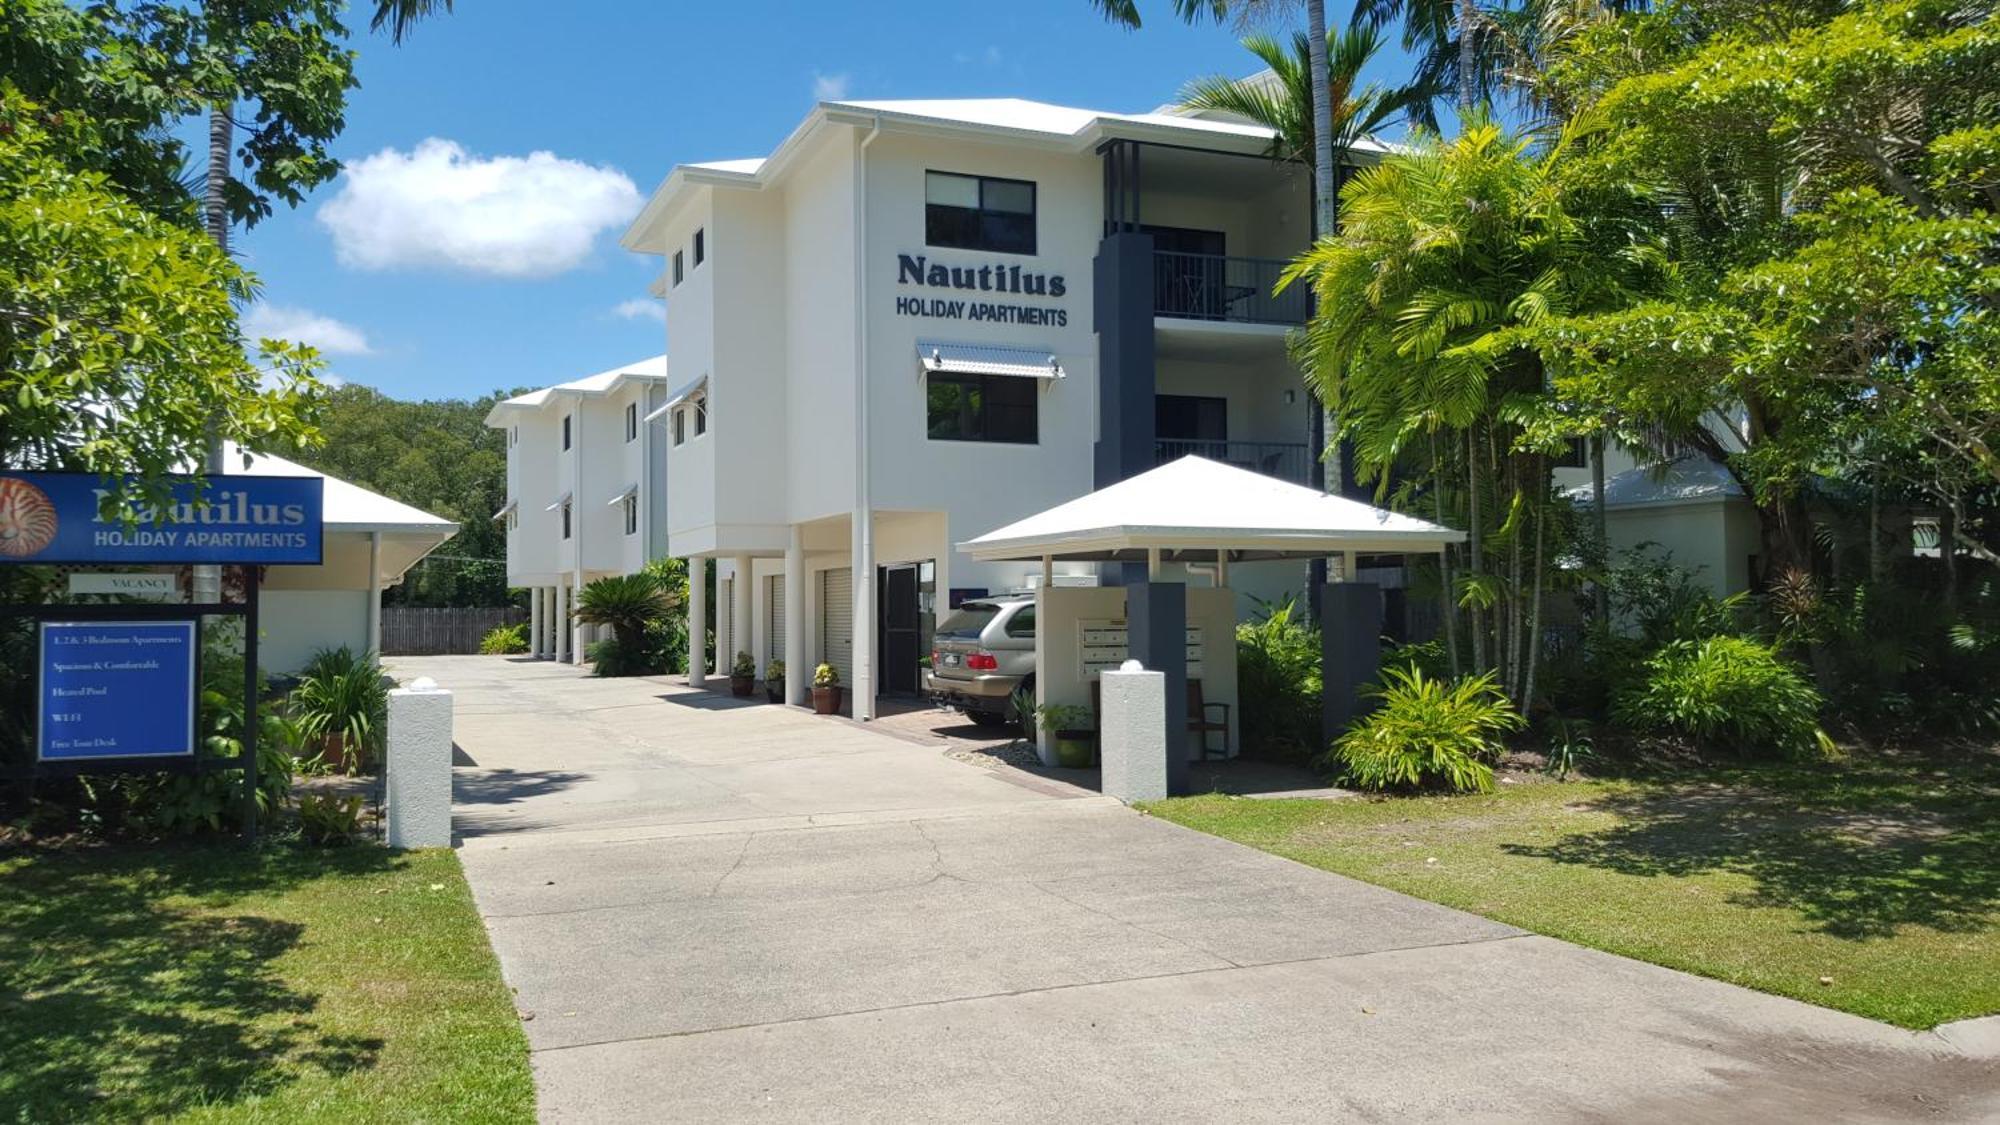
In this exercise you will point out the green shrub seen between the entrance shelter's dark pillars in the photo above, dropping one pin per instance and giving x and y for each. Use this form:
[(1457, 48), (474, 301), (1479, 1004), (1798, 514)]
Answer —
[(1279, 684)]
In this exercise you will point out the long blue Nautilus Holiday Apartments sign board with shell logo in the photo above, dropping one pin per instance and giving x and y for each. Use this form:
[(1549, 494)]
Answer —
[(57, 517)]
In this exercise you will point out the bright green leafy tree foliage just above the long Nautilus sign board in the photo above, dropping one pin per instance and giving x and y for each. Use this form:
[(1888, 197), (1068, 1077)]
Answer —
[(119, 343)]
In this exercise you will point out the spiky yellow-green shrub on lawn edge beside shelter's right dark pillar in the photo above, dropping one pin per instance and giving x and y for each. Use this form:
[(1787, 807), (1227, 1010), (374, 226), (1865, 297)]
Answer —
[(1429, 732)]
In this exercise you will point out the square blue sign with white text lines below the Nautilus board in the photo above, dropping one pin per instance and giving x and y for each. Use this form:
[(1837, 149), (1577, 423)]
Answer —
[(117, 690)]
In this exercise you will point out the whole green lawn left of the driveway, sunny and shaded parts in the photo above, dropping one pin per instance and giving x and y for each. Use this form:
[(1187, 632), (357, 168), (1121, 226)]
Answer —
[(221, 984)]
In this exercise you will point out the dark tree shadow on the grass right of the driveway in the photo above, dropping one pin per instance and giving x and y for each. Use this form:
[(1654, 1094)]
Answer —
[(1859, 848)]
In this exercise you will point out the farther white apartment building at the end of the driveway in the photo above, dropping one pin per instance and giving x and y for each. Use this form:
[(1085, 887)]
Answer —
[(585, 481)]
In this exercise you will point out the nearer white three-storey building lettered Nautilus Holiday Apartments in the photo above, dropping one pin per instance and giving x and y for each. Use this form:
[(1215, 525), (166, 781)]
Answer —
[(921, 321)]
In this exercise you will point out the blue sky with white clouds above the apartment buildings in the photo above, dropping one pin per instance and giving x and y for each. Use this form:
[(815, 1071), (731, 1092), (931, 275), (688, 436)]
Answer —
[(495, 159)]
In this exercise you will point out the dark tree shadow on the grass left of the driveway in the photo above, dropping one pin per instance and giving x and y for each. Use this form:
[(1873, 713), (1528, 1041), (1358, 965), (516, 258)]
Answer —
[(117, 1004)]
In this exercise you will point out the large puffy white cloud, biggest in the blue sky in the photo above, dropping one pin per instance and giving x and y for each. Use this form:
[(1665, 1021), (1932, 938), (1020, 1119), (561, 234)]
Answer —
[(441, 207)]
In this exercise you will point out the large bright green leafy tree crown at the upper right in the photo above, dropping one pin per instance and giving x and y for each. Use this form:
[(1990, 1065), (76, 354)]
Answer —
[(1825, 187)]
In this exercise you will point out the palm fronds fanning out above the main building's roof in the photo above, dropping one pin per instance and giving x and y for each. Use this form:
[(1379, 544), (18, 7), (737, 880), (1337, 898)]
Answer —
[(1285, 101)]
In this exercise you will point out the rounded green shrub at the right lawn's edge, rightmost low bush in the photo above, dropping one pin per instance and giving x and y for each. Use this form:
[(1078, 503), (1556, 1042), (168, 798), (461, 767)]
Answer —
[(1727, 694)]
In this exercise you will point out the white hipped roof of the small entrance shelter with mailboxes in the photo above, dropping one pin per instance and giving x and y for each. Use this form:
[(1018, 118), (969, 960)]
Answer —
[(1197, 507)]
